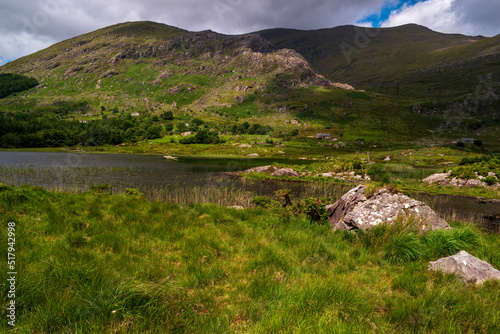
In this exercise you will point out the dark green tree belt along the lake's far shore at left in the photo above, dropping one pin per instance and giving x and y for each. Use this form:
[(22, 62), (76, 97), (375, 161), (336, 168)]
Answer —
[(39, 129)]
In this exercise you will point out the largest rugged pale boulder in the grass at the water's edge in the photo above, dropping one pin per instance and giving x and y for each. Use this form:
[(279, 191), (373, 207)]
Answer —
[(355, 211)]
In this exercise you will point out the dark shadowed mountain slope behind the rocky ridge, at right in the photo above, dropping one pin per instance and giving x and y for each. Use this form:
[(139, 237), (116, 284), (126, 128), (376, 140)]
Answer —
[(409, 60)]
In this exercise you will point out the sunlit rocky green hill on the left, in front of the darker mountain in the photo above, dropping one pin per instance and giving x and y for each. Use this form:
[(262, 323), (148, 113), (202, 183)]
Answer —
[(149, 64)]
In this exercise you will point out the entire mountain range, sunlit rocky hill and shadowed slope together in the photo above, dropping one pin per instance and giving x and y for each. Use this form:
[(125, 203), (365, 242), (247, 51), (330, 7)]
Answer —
[(150, 68)]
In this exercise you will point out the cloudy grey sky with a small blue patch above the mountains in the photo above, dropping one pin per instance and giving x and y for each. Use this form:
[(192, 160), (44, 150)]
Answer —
[(27, 26)]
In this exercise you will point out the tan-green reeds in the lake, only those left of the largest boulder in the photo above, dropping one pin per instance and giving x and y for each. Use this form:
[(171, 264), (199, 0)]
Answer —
[(213, 189)]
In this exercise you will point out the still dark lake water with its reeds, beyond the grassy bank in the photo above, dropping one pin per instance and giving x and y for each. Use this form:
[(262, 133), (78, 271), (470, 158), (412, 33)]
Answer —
[(193, 180)]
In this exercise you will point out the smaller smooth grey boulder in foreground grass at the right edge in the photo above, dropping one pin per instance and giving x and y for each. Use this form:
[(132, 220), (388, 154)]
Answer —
[(467, 267)]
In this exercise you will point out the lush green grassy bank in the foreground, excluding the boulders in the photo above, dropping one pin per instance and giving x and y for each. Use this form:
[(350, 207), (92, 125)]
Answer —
[(100, 263)]
